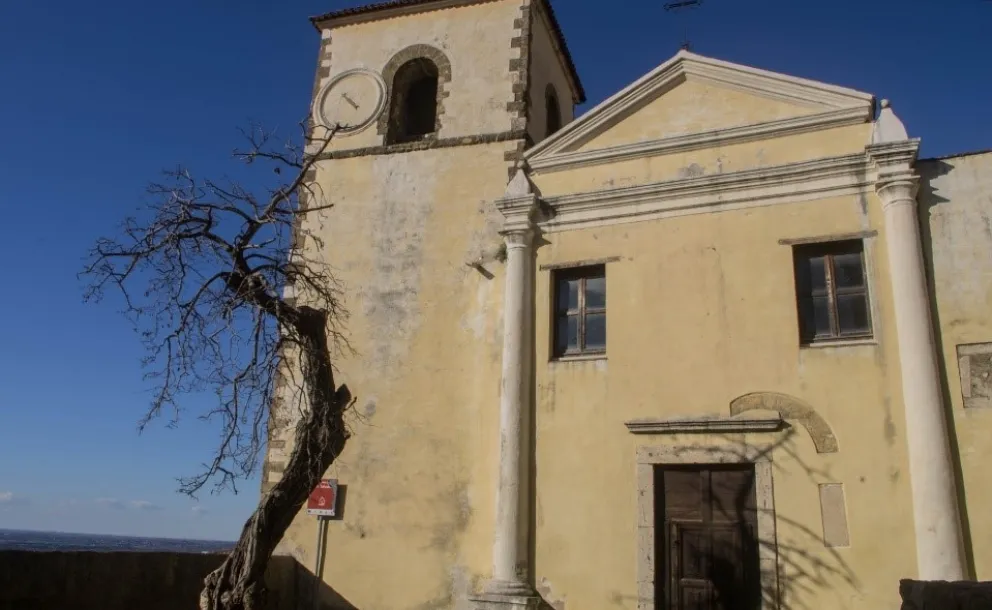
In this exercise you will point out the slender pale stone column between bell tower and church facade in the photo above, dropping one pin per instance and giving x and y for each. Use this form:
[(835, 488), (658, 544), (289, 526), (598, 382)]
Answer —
[(509, 586)]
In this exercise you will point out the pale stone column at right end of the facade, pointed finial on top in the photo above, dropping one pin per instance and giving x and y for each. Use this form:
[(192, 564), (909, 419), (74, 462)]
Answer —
[(939, 543)]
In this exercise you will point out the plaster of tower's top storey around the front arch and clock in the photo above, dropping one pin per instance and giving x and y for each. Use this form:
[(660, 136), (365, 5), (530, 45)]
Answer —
[(475, 39)]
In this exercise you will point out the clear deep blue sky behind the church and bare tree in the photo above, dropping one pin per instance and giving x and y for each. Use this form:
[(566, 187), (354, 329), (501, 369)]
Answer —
[(97, 97)]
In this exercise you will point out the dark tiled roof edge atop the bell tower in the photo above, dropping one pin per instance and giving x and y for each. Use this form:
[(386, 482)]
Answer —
[(398, 8)]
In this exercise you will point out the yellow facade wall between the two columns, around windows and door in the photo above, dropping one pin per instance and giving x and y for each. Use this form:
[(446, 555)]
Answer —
[(701, 310)]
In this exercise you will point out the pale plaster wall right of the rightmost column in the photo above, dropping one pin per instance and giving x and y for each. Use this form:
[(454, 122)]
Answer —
[(956, 217)]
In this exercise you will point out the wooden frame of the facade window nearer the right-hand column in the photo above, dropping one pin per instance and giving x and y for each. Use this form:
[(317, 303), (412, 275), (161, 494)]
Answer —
[(806, 295)]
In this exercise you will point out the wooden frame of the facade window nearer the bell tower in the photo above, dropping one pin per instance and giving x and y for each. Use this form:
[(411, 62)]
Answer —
[(560, 278)]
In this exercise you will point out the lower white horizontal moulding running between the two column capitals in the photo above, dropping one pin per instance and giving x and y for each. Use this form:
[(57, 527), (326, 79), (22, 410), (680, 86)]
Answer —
[(831, 176)]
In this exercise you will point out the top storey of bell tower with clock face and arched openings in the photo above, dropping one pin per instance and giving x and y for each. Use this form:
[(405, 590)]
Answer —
[(432, 74)]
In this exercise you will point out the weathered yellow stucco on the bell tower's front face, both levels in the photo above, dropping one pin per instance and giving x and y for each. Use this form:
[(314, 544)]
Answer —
[(424, 324)]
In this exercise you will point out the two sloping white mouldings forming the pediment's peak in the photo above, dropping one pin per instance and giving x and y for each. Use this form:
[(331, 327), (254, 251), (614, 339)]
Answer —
[(690, 65)]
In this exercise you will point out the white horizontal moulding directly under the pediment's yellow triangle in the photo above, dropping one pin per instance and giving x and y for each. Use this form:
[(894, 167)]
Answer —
[(703, 139)]
